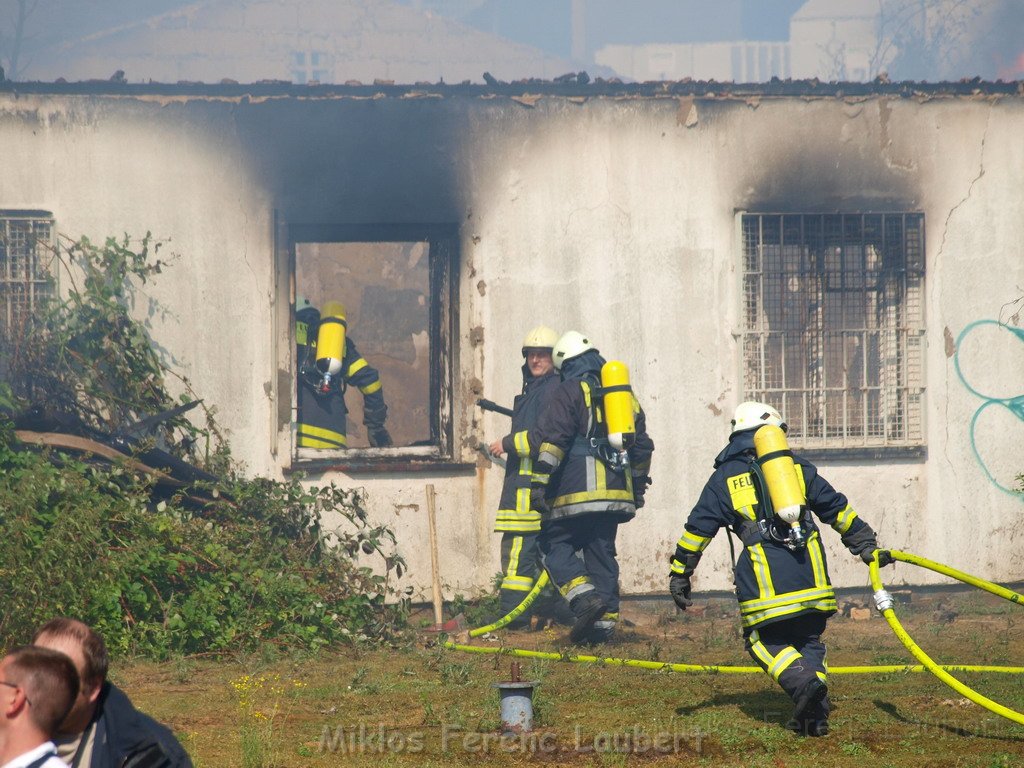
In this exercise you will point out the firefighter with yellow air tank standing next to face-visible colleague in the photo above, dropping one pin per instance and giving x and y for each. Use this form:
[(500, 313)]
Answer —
[(590, 477)]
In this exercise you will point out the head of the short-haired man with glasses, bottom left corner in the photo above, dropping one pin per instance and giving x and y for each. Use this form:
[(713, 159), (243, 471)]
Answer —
[(39, 685)]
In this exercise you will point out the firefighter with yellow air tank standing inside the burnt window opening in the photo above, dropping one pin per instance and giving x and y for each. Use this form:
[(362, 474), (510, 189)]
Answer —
[(329, 363)]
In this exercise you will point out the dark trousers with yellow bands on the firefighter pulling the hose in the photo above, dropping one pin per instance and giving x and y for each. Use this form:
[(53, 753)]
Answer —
[(793, 654)]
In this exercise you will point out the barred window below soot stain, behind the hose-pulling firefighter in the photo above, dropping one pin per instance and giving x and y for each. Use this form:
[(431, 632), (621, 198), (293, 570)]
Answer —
[(834, 328)]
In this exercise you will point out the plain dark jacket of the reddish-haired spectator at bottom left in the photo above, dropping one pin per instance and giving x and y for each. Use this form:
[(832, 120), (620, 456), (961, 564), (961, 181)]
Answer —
[(127, 739)]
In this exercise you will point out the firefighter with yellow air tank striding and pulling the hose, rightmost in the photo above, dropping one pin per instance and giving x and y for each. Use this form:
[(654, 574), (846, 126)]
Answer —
[(765, 495)]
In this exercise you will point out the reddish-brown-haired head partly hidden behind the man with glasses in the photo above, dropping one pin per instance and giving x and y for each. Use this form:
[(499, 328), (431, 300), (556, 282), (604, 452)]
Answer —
[(89, 653)]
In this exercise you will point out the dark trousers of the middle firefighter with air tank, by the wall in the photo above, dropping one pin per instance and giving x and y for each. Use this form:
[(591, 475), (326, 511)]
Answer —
[(594, 537)]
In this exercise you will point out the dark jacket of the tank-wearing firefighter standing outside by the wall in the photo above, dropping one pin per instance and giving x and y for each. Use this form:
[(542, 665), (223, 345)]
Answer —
[(569, 476)]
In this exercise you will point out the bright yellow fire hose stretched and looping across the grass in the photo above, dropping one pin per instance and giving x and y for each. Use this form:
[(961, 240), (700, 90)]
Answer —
[(941, 671)]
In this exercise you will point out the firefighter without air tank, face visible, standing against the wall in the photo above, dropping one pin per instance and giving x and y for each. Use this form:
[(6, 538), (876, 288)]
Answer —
[(519, 524)]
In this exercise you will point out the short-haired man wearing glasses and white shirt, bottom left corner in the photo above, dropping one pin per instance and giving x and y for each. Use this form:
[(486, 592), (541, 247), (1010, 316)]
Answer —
[(38, 688)]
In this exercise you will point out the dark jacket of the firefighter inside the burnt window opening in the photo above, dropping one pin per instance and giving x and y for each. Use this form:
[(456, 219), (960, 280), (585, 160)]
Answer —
[(322, 421)]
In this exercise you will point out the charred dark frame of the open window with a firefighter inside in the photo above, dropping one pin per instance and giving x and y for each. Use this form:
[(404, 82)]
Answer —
[(443, 242)]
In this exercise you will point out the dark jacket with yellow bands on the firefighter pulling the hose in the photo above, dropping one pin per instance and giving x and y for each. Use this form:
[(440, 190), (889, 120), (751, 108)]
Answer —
[(773, 582)]
